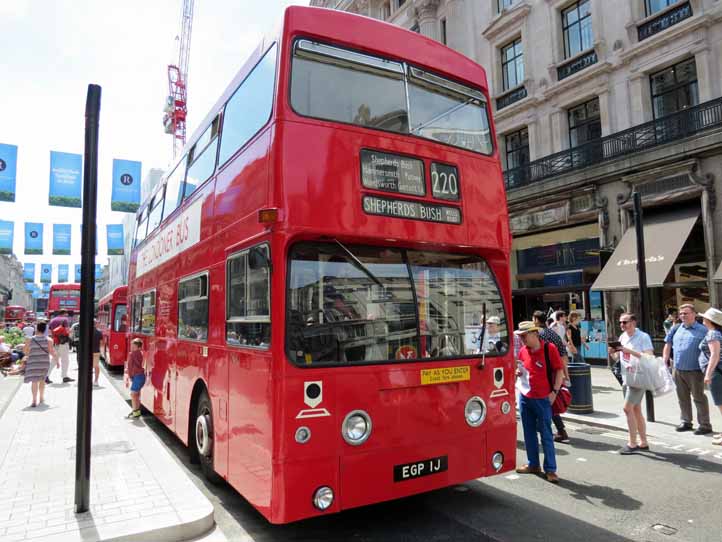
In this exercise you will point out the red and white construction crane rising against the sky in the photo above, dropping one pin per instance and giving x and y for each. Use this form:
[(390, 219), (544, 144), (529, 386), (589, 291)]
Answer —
[(176, 107)]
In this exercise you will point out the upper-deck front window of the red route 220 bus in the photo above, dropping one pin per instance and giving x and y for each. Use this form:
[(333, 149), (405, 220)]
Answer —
[(346, 86)]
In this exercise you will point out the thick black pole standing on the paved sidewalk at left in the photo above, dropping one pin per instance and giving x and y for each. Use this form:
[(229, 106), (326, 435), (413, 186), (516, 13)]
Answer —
[(87, 294)]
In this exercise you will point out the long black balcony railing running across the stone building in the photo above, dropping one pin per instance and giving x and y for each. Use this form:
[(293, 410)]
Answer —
[(638, 138)]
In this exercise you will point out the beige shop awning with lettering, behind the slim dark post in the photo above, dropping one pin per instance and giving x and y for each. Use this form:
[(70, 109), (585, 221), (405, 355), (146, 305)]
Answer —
[(664, 237)]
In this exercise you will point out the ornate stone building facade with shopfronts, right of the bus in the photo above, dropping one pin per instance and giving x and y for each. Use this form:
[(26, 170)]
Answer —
[(592, 100)]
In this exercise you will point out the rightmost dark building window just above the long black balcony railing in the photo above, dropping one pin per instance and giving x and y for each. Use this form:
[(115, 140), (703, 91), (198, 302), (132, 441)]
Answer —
[(674, 88)]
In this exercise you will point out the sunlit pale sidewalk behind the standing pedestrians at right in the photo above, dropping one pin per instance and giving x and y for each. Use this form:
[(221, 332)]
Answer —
[(608, 401)]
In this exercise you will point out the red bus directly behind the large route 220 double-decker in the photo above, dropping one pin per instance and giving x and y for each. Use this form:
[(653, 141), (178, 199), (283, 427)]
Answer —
[(113, 322)]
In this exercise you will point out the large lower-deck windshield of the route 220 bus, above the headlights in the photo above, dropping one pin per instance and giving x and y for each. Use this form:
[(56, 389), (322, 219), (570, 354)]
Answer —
[(397, 304)]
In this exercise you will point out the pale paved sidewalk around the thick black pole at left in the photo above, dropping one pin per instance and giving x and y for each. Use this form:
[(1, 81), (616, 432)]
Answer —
[(138, 491)]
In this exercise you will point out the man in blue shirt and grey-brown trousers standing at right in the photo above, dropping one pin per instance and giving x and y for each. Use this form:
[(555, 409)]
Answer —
[(684, 340)]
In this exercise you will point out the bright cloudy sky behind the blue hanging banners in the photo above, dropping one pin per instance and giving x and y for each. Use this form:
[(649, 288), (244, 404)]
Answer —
[(50, 51)]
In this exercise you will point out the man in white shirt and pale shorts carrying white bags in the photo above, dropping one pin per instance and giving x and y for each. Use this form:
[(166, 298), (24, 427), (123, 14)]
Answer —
[(634, 342)]
